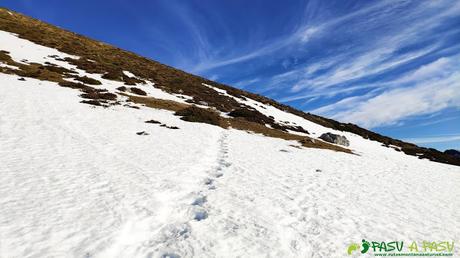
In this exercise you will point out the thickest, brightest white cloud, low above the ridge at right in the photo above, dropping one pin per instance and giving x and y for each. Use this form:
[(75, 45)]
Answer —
[(429, 93)]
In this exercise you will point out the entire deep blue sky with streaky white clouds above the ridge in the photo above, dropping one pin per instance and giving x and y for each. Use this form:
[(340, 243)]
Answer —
[(391, 66)]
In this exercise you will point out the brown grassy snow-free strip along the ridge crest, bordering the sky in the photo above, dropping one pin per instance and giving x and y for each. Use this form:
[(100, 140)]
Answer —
[(97, 57)]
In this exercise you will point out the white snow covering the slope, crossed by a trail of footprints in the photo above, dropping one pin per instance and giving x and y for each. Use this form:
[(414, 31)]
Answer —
[(77, 181)]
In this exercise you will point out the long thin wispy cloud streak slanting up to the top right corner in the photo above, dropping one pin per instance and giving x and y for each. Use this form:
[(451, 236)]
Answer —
[(371, 58)]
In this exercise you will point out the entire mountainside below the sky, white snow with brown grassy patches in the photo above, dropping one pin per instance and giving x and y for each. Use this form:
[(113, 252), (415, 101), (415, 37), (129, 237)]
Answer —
[(106, 154)]
